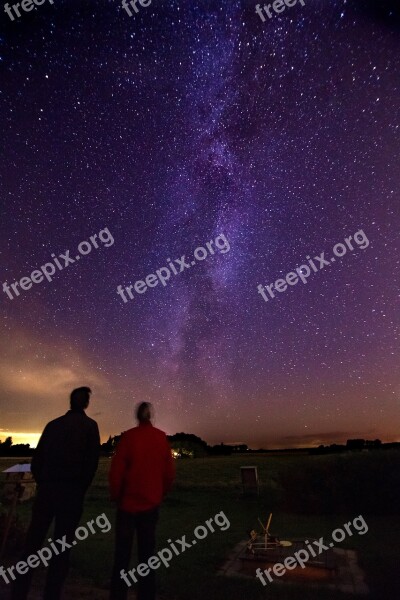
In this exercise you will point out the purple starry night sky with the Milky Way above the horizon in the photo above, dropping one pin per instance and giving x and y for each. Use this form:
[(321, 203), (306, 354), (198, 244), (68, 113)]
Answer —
[(189, 120)]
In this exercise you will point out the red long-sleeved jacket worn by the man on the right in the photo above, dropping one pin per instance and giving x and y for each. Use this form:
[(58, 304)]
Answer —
[(142, 470)]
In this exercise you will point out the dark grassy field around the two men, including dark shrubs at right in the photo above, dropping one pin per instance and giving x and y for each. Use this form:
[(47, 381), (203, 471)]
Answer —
[(309, 497)]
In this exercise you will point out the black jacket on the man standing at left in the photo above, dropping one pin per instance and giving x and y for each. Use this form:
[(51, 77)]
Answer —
[(68, 451)]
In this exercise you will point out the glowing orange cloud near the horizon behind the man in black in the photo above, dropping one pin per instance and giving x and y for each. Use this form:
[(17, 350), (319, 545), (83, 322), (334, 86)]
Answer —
[(36, 381)]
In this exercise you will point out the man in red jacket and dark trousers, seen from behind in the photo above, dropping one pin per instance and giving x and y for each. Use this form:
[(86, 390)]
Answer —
[(141, 474)]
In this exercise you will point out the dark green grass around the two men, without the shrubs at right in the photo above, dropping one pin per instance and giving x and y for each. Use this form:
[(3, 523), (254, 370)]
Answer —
[(207, 486)]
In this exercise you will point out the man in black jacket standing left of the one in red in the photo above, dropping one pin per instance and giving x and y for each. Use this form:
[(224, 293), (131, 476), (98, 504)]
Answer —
[(64, 464)]
